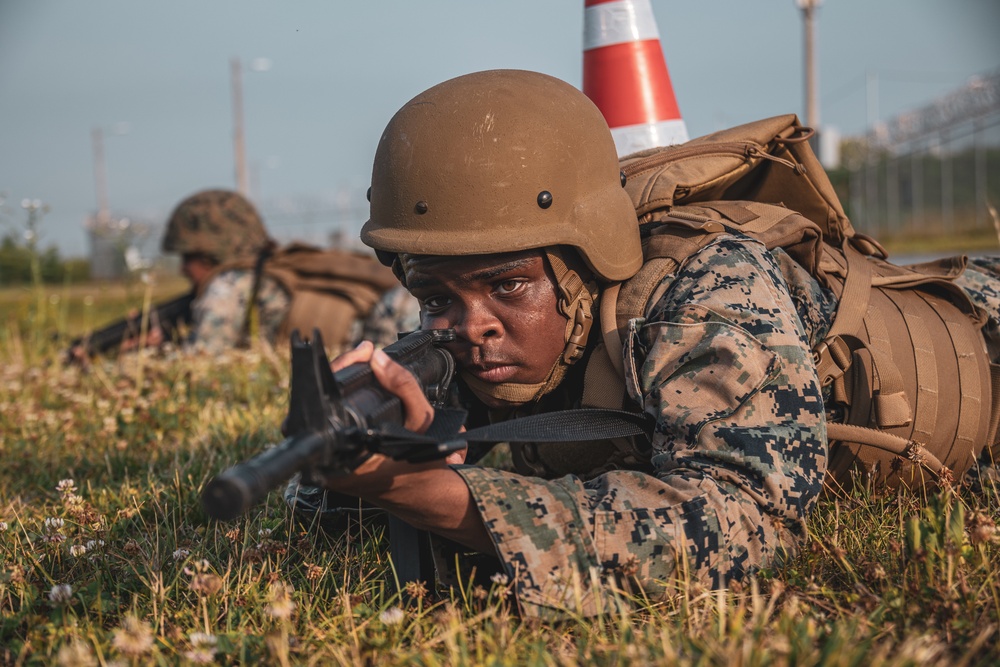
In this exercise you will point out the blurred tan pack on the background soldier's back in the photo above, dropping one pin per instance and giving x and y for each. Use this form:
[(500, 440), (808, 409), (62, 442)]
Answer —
[(330, 289)]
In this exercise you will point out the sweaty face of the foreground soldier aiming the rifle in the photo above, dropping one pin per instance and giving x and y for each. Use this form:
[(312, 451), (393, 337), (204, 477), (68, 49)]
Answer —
[(503, 308)]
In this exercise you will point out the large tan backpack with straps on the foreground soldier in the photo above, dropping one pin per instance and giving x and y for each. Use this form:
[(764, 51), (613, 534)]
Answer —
[(912, 386)]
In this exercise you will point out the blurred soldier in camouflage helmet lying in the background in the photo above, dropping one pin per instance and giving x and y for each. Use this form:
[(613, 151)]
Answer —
[(246, 287)]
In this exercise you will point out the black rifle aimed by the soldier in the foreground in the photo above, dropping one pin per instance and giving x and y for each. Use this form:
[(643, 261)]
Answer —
[(337, 420)]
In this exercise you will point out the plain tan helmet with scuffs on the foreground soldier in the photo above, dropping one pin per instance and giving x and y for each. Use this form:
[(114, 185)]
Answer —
[(501, 161)]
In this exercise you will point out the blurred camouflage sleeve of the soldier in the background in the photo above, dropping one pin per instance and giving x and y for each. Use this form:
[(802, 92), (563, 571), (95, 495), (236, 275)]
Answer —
[(219, 312)]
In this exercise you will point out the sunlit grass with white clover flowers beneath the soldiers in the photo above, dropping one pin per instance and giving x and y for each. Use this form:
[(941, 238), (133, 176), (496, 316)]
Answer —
[(888, 578)]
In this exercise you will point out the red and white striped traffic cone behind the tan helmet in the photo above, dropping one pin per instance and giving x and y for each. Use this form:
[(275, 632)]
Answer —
[(625, 74)]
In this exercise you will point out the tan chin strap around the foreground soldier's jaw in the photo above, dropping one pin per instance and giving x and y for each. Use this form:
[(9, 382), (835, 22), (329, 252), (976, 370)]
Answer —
[(576, 303)]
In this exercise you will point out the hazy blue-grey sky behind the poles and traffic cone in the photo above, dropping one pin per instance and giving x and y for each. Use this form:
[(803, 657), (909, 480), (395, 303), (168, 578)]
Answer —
[(339, 70)]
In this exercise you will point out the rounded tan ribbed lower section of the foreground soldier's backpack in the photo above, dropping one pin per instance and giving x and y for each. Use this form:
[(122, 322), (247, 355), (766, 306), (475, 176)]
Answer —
[(918, 370)]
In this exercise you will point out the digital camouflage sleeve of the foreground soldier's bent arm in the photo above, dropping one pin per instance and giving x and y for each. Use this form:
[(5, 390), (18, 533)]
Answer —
[(739, 451)]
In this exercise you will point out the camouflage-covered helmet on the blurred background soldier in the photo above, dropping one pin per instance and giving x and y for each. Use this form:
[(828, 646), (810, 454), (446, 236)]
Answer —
[(220, 224)]
